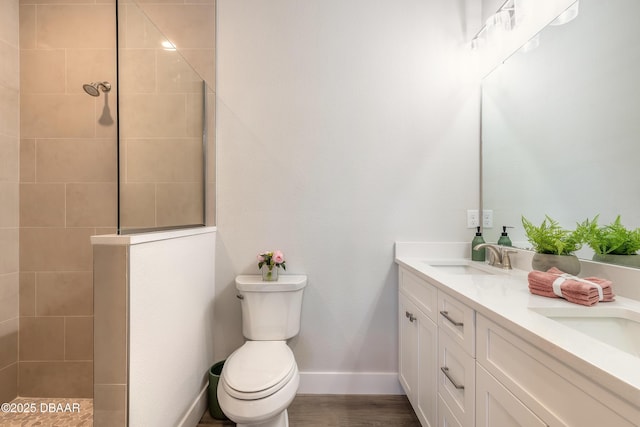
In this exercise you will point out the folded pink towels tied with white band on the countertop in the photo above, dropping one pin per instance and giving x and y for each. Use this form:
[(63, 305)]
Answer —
[(555, 283)]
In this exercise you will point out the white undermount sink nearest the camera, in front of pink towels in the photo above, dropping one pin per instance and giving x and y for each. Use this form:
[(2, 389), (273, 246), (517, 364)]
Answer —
[(618, 327)]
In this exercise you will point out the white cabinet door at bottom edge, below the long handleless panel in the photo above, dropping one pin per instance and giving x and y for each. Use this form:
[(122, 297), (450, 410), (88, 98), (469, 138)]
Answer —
[(497, 407)]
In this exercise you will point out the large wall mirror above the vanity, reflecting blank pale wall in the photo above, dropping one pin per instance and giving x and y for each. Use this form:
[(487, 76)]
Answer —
[(561, 122)]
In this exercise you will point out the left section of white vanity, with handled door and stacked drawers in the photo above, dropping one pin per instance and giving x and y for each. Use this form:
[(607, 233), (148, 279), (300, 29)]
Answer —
[(436, 353)]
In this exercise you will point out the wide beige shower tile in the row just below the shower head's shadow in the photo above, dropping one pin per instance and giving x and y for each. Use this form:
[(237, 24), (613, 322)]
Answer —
[(64, 160)]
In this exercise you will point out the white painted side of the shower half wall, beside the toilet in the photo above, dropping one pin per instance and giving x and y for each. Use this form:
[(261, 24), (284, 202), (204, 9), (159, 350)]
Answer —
[(171, 292)]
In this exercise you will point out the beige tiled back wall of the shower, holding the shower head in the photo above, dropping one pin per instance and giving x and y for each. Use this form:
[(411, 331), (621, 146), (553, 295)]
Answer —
[(67, 187)]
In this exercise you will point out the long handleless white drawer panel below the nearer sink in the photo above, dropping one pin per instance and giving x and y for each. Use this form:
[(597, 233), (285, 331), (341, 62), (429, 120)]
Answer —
[(556, 393)]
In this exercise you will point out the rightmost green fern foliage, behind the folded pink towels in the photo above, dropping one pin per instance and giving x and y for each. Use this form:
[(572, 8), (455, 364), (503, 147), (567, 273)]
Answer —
[(613, 243)]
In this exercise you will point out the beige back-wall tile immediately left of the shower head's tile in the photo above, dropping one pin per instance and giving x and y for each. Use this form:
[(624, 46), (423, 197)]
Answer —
[(34, 80)]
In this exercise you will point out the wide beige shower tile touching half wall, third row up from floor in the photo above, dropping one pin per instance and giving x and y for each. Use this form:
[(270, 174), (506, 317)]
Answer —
[(65, 293)]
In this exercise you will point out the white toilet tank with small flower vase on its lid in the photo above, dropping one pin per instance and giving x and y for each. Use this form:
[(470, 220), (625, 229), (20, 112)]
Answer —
[(270, 310)]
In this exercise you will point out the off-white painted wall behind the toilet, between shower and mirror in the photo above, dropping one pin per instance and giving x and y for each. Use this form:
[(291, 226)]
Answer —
[(343, 126)]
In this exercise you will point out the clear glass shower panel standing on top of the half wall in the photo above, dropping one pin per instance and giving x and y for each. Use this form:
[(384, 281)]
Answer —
[(162, 129)]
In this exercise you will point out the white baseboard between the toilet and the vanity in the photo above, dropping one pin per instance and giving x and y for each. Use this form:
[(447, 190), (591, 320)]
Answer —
[(349, 383)]
